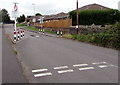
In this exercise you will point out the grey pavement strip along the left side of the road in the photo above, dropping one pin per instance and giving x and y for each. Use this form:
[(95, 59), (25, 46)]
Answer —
[(11, 69)]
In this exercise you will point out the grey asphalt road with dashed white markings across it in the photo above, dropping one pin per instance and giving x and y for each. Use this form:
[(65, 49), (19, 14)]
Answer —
[(56, 60)]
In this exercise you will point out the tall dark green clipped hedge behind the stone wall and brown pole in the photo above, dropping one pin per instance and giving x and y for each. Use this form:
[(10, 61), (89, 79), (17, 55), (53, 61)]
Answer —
[(98, 17)]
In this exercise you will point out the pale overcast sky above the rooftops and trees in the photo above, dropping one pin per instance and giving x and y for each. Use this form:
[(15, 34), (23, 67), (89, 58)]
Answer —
[(46, 7)]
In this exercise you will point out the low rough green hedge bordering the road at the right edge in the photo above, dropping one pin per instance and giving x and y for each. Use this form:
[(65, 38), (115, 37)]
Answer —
[(109, 38)]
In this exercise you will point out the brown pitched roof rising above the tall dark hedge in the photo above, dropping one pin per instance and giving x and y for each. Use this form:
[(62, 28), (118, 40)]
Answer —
[(94, 7)]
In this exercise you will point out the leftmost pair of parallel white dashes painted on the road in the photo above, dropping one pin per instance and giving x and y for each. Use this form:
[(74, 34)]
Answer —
[(41, 74)]
